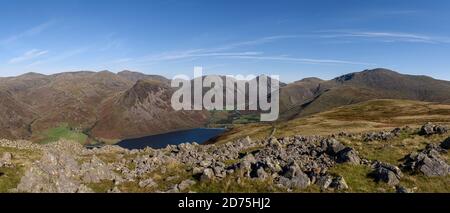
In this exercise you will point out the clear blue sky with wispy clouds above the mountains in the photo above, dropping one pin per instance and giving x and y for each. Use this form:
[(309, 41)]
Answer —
[(294, 39)]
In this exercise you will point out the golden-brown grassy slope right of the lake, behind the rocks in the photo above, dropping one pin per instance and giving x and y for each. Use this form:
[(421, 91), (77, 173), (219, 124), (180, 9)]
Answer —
[(367, 116)]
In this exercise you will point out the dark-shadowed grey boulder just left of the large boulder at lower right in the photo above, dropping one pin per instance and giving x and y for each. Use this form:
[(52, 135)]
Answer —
[(387, 173)]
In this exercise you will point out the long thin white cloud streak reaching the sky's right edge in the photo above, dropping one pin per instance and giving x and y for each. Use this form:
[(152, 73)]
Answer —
[(385, 36)]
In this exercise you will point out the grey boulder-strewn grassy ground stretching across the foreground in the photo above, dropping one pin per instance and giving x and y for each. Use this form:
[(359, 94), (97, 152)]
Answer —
[(288, 164)]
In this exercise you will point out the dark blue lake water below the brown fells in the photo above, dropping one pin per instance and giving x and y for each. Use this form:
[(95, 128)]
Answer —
[(199, 135)]
